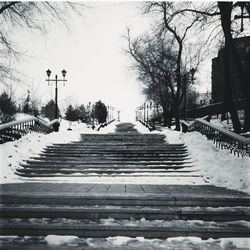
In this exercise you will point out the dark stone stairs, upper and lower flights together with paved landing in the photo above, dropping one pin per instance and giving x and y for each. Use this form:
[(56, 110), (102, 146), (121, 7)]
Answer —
[(103, 210)]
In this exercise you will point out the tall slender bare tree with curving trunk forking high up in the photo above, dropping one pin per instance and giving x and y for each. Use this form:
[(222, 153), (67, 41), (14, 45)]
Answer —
[(178, 29)]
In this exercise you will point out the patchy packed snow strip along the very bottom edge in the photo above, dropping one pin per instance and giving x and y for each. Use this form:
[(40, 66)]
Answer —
[(121, 242)]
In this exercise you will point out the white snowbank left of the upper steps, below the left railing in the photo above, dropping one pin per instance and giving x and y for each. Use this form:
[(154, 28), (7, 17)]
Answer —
[(13, 154)]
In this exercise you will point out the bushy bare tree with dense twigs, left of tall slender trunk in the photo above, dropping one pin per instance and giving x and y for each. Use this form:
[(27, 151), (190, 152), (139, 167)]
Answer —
[(156, 62)]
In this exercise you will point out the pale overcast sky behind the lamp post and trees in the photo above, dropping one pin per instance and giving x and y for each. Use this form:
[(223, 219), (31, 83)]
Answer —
[(92, 53)]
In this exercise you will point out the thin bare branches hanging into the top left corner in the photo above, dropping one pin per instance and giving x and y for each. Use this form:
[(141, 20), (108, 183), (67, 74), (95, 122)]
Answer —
[(32, 16)]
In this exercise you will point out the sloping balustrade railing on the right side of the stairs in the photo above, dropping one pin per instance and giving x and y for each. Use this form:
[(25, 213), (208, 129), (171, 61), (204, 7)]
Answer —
[(223, 138)]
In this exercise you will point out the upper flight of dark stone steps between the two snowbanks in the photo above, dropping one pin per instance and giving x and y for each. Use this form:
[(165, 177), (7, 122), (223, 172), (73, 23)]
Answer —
[(110, 154)]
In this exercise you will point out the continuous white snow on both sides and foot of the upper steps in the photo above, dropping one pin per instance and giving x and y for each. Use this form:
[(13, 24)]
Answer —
[(216, 166)]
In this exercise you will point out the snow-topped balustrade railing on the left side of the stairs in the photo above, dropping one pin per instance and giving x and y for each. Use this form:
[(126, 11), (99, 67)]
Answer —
[(16, 129)]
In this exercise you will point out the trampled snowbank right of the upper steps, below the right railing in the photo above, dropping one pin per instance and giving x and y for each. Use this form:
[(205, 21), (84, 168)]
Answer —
[(219, 166)]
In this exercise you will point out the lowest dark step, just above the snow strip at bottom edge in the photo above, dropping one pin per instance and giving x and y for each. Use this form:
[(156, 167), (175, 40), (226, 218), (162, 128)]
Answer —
[(108, 228)]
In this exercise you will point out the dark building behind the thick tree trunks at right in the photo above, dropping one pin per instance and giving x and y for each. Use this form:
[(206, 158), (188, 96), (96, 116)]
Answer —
[(218, 81)]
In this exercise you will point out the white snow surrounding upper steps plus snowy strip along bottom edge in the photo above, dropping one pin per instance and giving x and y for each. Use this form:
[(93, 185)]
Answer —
[(218, 167)]
